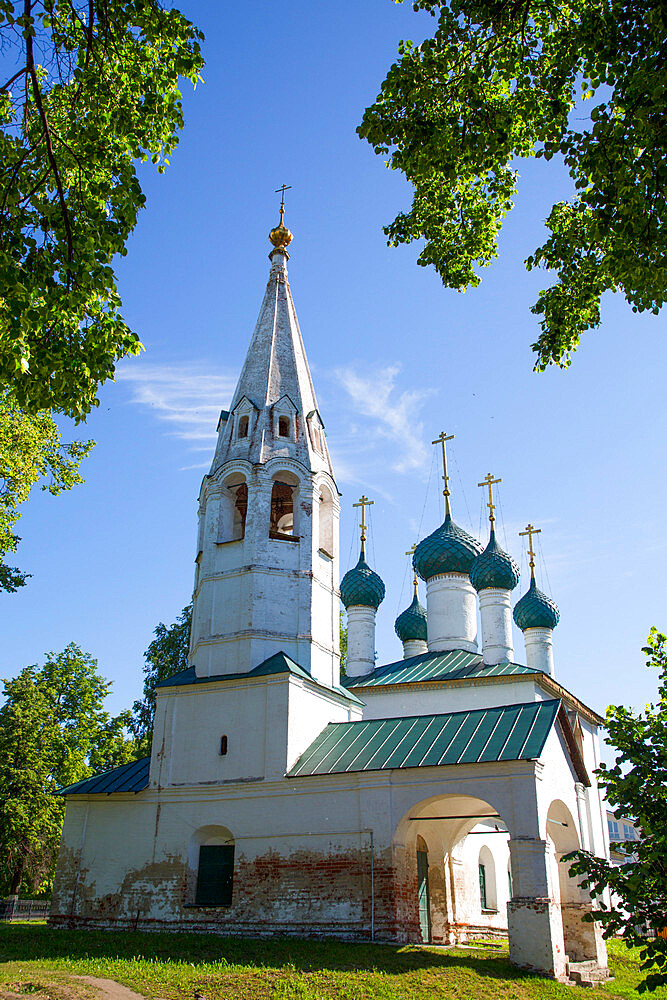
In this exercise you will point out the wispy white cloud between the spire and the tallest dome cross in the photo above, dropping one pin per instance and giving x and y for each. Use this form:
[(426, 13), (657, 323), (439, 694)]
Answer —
[(391, 415)]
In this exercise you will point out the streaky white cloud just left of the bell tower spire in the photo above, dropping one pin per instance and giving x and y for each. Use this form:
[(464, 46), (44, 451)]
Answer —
[(186, 397)]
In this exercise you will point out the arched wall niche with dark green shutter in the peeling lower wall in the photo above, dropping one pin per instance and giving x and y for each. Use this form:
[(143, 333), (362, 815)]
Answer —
[(211, 863)]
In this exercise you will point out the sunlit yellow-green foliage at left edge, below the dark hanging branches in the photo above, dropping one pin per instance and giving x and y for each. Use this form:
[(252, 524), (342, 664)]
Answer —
[(30, 449)]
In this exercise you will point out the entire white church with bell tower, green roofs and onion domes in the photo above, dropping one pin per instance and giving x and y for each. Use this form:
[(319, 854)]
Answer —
[(426, 800)]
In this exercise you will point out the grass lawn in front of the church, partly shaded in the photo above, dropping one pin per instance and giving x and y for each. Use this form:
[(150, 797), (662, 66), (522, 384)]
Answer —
[(39, 962)]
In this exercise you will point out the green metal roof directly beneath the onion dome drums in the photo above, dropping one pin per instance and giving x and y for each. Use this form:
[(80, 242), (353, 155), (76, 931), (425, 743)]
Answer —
[(455, 664)]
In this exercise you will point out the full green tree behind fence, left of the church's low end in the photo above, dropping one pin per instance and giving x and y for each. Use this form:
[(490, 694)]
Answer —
[(53, 731)]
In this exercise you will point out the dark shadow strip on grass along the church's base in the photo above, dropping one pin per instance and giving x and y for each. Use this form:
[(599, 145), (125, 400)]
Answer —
[(42, 943)]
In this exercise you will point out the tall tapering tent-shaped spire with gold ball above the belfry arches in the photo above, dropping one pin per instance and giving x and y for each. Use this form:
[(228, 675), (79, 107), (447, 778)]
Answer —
[(274, 410)]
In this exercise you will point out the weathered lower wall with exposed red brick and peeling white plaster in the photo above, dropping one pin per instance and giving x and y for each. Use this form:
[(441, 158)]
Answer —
[(306, 893)]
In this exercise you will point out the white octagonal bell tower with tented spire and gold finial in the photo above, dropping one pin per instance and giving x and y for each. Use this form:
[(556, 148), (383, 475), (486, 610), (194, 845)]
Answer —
[(267, 555)]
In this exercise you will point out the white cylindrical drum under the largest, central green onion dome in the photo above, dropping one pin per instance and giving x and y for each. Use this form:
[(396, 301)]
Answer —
[(451, 604)]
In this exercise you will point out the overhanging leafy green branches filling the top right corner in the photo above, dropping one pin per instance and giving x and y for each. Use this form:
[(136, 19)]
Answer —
[(498, 82)]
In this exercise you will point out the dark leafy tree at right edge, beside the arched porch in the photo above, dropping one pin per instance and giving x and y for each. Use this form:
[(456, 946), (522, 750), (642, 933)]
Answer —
[(636, 784)]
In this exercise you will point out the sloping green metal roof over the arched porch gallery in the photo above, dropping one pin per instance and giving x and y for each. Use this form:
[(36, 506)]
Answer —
[(508, 732)]
